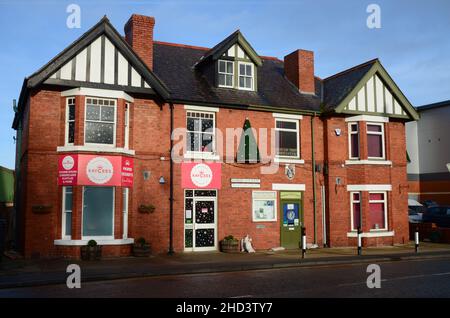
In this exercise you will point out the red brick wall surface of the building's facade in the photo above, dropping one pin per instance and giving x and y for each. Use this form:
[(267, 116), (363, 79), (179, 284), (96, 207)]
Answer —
[(149, 137)]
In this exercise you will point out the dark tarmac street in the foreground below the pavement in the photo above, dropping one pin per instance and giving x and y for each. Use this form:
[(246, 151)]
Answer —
[(399, 278)]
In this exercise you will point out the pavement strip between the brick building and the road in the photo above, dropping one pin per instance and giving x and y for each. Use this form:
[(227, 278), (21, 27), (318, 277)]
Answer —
[(27, 273)]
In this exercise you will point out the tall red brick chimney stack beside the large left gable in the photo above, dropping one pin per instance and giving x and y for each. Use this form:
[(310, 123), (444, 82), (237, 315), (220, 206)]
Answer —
[(139, 34)]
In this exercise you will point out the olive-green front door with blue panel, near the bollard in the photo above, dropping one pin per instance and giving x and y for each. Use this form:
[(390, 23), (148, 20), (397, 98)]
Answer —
[(291, 217)]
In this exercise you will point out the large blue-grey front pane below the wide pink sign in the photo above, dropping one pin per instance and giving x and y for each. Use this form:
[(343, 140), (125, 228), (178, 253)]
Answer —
[(98, 212)]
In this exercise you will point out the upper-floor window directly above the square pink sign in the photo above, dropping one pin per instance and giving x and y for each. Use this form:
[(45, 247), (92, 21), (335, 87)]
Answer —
[(200, 132)]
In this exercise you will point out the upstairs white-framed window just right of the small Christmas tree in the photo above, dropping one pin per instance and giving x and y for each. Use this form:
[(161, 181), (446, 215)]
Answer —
[(287, 138)]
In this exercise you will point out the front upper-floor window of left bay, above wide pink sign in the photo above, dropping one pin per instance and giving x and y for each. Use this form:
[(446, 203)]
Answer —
[(100, 121)]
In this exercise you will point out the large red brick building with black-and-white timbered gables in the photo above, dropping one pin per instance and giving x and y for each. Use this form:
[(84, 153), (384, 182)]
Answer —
[(94, 148)]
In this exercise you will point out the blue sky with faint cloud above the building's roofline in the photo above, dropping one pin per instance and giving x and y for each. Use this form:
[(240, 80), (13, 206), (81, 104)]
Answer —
[(412, 43)]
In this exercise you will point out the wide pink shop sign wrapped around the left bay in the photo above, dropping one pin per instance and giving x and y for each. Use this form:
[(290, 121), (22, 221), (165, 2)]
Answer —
[(76, 169)]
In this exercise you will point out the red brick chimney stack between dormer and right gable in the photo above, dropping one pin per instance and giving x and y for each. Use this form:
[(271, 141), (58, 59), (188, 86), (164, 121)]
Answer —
[(299, 69)]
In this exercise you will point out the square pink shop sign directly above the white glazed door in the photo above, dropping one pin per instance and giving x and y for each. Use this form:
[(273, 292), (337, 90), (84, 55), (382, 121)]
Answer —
[(201, 175)]
